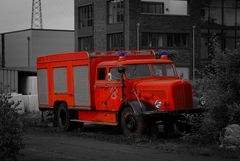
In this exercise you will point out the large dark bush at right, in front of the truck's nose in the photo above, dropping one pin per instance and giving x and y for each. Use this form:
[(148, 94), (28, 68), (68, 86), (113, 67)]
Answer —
[(219, 84)]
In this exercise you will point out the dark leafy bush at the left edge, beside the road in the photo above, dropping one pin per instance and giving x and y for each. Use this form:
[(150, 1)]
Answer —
[(11, 129)]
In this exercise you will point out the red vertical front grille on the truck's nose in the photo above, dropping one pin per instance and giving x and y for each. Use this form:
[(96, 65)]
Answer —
[(182, 95)]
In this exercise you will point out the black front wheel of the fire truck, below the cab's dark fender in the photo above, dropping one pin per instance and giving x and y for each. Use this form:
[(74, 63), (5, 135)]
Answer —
[(131, 123)]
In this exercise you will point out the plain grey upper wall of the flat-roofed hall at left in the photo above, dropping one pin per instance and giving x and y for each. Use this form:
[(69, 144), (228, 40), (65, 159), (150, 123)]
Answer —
[(23, 47)]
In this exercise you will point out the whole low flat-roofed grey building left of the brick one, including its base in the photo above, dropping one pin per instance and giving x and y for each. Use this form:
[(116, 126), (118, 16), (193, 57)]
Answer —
[(19, 51)]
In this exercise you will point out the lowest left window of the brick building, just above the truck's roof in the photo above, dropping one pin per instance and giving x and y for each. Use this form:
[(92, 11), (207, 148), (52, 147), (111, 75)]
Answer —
[(85, 44)]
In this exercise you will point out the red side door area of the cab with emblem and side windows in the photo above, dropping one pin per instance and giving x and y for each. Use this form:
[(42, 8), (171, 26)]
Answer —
[(108, 91)]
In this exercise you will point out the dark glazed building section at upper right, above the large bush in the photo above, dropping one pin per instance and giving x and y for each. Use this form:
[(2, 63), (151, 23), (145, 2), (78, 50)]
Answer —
[(220, 21)]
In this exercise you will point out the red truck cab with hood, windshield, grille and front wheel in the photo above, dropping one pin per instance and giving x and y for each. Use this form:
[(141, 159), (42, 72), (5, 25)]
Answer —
[(148, 89)]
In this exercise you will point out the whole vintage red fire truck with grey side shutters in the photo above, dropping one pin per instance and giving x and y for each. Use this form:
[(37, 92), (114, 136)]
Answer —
[(131, 89)]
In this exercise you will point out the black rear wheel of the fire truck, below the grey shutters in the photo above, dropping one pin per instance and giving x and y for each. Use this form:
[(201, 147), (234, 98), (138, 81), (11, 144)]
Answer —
[(63, 117)]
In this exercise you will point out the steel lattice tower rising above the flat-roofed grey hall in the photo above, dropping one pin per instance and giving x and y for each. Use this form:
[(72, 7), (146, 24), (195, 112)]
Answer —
[(36, 21)]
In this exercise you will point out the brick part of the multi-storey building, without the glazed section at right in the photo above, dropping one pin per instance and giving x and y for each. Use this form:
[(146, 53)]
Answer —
[(162, 25)]
